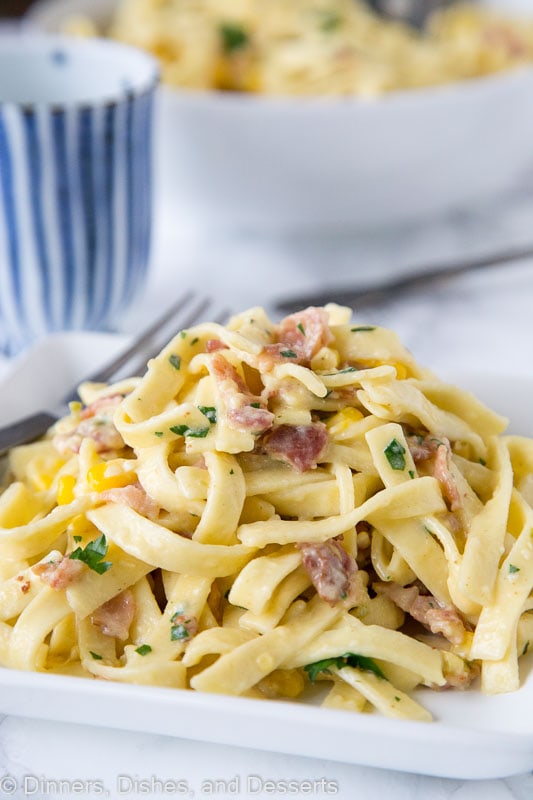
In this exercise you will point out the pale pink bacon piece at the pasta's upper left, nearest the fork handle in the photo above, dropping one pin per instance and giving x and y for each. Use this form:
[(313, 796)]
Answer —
[(96, 423)]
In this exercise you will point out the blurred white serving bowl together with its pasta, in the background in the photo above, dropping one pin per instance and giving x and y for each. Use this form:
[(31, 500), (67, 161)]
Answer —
[(376, 136)]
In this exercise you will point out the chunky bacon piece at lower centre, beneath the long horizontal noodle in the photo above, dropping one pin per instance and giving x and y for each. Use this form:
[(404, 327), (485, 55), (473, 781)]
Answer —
[(330, 568)]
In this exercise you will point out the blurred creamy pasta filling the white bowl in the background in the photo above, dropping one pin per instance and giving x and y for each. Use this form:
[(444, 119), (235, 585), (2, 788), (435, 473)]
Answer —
[(310, 47)]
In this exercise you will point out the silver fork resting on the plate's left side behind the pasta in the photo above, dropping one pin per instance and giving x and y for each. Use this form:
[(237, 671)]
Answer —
[(187, 310)]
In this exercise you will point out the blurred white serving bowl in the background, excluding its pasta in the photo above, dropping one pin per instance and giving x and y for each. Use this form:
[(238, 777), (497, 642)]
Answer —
[(245, 161)]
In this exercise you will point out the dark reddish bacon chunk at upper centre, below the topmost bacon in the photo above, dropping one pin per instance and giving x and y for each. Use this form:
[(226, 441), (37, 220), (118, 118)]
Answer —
[(299, 445)]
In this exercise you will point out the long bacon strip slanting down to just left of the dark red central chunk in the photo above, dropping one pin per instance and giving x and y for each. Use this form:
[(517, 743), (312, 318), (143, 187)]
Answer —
[(245, 410)]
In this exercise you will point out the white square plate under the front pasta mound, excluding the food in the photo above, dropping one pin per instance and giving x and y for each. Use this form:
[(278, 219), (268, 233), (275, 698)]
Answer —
[(473, 736)]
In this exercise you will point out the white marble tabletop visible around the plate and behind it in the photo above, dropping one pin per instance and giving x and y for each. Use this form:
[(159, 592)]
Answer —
[(481, 321)]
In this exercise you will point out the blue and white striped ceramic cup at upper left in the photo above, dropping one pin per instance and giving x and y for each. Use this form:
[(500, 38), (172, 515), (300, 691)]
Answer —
[(76, 121)]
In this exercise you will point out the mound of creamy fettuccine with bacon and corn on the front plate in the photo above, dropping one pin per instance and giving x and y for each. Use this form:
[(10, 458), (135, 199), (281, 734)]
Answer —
[(272, 510)]
